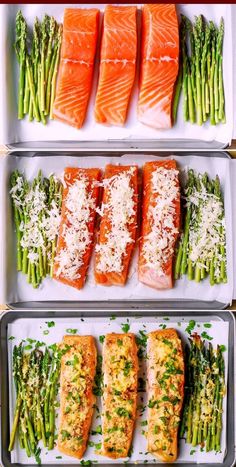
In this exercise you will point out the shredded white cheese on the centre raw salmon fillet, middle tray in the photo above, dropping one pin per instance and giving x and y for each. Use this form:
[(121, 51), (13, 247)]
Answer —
[(120, 210)]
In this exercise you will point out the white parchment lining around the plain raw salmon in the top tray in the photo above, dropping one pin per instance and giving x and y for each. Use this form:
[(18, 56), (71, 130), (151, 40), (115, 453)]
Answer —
[(13, 131)]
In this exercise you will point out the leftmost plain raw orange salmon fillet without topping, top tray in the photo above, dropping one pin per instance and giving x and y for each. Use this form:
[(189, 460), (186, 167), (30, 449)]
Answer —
[(80, 32)]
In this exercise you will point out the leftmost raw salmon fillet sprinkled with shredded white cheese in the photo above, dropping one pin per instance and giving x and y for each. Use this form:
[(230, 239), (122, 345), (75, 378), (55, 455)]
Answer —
[(79, 202)]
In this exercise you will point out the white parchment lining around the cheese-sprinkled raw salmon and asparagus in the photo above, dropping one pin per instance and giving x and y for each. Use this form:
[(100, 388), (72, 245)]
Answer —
[(13, 285)]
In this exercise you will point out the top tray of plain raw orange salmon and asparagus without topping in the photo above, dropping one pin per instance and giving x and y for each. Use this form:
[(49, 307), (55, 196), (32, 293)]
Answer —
[(117, 73)]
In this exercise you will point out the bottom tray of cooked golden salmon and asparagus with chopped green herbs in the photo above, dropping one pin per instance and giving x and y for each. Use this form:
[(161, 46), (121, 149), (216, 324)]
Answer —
[(117, 388)]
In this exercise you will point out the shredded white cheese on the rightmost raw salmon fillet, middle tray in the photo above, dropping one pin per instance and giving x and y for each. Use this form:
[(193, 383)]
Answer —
[(159, 243)]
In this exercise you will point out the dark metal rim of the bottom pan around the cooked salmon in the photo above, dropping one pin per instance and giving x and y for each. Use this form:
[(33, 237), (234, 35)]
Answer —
[(11, 316)]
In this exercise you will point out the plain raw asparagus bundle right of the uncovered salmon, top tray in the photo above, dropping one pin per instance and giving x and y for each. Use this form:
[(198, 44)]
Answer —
[(201, 71)]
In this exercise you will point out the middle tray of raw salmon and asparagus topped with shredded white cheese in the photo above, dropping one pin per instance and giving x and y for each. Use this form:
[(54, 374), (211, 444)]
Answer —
[(117, 228)]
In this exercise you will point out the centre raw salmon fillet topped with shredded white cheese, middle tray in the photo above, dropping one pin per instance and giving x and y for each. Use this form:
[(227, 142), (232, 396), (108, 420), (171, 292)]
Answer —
[(118, 225)]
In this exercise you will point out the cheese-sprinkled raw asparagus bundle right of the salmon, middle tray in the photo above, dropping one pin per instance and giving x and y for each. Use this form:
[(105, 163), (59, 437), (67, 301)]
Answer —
[(201, 251)]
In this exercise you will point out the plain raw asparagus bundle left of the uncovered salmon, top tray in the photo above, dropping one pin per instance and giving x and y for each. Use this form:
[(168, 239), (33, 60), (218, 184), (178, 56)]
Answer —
[(38, 57)]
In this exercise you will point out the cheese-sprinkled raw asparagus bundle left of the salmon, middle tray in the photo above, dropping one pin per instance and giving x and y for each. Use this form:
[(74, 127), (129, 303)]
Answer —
[(36, 209)]
